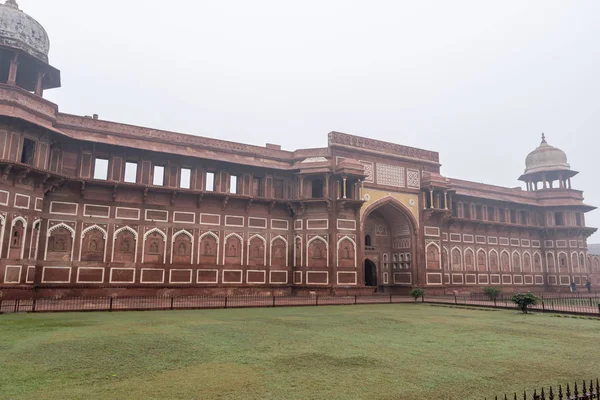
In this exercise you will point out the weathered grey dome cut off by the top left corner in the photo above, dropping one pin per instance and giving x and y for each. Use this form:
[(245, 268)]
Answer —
[(19, 31)]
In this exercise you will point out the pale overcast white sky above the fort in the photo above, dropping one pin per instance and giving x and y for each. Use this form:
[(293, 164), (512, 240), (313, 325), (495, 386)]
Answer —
[(478, 81)]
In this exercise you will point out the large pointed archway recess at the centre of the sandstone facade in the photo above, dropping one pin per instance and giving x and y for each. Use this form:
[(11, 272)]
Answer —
[(390, 243)]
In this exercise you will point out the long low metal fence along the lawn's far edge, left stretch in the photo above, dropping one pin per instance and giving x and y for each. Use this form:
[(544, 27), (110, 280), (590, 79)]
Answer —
[(143, 303)]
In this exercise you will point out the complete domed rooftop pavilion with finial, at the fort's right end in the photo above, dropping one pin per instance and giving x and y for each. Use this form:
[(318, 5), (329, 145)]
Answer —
[(545, 165)]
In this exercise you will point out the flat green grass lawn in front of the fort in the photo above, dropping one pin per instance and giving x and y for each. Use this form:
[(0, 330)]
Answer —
[(403, 351)]
